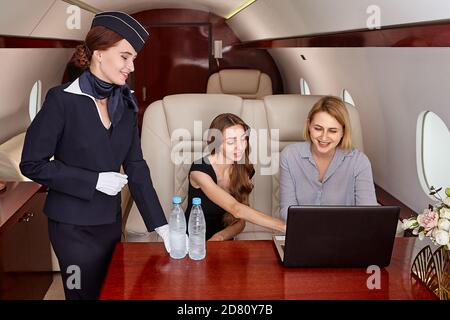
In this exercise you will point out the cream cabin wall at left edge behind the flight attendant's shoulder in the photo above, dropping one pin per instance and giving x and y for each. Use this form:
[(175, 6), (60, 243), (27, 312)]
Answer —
[(21, 68)]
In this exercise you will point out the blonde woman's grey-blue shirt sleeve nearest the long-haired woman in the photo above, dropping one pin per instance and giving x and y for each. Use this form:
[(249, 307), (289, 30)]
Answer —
[(287, 186)]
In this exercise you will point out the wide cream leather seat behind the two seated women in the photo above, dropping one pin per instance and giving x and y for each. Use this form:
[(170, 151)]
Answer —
[(172, 138)]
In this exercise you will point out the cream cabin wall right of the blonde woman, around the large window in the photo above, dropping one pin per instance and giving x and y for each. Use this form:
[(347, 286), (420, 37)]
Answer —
[(391, 87)]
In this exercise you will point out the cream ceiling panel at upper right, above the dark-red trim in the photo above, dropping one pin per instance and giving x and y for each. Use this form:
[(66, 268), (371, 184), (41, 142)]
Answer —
[(276, 19)]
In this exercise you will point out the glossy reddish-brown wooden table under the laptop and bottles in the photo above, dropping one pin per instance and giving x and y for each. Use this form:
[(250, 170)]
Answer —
[(249, 270)]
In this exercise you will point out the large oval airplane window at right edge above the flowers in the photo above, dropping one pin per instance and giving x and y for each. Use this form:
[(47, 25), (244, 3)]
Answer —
[(433, 152)]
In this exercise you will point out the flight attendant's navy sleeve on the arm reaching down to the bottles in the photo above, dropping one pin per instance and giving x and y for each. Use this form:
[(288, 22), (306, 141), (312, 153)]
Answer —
[(141, 186)]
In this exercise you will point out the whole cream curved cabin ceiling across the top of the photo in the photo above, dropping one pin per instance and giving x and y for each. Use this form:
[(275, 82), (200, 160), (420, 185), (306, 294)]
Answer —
[(262, 19)]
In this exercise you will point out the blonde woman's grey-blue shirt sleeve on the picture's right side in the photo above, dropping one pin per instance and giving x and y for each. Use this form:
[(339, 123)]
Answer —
[(364, 187)]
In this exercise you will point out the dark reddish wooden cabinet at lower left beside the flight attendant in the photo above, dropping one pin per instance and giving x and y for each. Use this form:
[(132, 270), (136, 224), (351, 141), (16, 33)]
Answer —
[(25, 254)]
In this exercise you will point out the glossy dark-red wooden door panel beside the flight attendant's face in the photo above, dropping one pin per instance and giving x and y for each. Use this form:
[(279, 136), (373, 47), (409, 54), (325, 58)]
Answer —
[(175, 61)]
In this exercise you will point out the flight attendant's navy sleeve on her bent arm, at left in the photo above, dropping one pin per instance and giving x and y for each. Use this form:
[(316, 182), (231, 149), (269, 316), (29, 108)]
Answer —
[(41, 140)]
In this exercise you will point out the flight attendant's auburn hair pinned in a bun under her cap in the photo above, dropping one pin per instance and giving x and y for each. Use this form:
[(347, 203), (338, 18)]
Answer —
[(98, 38)]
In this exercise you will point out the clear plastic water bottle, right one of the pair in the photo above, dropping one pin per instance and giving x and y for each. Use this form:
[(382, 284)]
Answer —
[(197, 231)]
